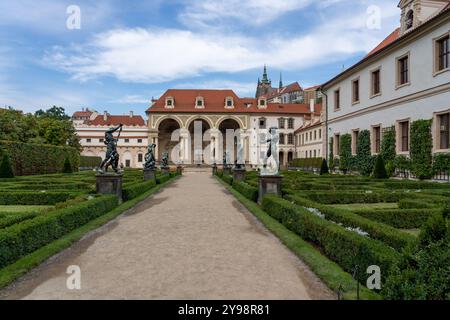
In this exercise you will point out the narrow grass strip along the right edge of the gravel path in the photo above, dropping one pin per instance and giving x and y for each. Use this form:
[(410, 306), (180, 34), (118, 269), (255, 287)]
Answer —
[(328, 271)]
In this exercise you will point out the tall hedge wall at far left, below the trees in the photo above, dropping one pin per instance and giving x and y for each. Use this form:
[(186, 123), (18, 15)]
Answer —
[(33, 159)]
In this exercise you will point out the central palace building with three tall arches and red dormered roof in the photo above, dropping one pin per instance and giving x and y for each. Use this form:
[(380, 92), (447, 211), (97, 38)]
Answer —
[(217, 111)]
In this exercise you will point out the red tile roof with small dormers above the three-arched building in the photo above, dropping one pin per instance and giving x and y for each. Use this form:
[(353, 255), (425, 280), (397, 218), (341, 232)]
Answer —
[(214, 102)]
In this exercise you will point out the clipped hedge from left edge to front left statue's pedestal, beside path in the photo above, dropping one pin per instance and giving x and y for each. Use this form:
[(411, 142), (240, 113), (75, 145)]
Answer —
[(28, 236)]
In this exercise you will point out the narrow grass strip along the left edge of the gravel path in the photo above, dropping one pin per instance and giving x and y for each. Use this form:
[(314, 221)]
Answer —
[(28, 262)]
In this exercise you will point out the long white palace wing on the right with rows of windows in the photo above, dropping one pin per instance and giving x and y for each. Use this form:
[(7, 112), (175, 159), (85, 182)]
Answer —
[(405, 78)]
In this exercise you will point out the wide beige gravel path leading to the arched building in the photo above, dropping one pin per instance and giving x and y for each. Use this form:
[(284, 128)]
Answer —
[(192, 240)]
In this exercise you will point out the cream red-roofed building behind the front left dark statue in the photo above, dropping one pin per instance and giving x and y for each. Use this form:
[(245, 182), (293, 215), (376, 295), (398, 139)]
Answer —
[(132, 145)]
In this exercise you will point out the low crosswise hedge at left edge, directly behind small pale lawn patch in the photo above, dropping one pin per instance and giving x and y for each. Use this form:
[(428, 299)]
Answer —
[(34, 198)]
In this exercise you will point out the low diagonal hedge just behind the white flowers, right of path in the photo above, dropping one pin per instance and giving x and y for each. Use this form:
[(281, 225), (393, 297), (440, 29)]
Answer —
[(376, 230)]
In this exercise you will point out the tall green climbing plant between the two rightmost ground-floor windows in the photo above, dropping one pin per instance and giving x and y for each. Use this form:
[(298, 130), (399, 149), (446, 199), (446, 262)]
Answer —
[(421, 149)]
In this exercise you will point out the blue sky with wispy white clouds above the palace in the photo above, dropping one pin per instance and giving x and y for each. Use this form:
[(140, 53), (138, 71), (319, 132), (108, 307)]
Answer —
[(127, 52)]
